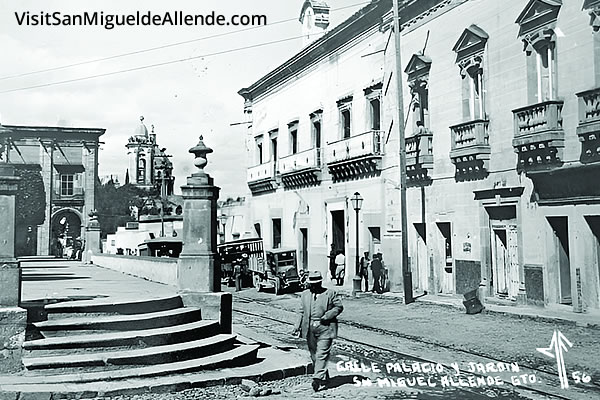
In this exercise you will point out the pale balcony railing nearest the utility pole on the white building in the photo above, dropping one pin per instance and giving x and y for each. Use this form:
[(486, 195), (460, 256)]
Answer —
[(368, 143)]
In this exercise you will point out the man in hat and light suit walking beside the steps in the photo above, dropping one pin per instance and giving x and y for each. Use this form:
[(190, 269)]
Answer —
[(317, 322)]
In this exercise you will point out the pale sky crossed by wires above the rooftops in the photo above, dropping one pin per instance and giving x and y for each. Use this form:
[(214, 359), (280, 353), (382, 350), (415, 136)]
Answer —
[(183, 100)]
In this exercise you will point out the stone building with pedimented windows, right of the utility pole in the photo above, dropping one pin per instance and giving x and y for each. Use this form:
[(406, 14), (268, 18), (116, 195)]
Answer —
[(503, 116)]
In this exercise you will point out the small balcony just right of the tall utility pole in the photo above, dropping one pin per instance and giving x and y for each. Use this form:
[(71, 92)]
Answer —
[(419, 156)]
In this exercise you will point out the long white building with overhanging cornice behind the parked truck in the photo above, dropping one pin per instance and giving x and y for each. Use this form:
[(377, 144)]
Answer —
[(317, 137)]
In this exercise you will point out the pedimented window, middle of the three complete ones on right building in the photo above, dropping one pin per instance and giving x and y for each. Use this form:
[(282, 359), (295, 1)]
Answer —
[(469, 56)]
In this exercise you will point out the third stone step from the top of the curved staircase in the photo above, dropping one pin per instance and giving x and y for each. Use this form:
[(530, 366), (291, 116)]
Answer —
[(147, 337)]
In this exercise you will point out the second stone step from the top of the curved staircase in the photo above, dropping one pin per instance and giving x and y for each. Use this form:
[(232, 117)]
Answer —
[(124, 322)]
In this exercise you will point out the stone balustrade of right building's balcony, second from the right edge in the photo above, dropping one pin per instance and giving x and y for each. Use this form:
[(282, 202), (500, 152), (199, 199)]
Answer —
[(538, 118)]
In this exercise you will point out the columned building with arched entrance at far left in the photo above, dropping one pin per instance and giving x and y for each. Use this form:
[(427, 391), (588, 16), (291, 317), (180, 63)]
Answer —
[(59, 164)]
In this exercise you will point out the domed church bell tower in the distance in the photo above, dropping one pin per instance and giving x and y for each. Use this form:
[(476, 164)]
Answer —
[(149, 165)]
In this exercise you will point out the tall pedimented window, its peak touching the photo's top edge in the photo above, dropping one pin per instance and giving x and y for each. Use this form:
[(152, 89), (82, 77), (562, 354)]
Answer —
[(537, 22)]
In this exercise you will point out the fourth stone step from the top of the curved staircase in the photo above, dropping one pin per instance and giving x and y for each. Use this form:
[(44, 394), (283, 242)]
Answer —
[(147, 356)]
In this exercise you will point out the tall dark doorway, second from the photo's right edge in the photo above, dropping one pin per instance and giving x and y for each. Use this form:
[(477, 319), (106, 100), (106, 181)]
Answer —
[(560, 238)]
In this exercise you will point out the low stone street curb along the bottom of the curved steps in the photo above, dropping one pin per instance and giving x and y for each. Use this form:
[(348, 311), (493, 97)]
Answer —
[(146, 387)]
